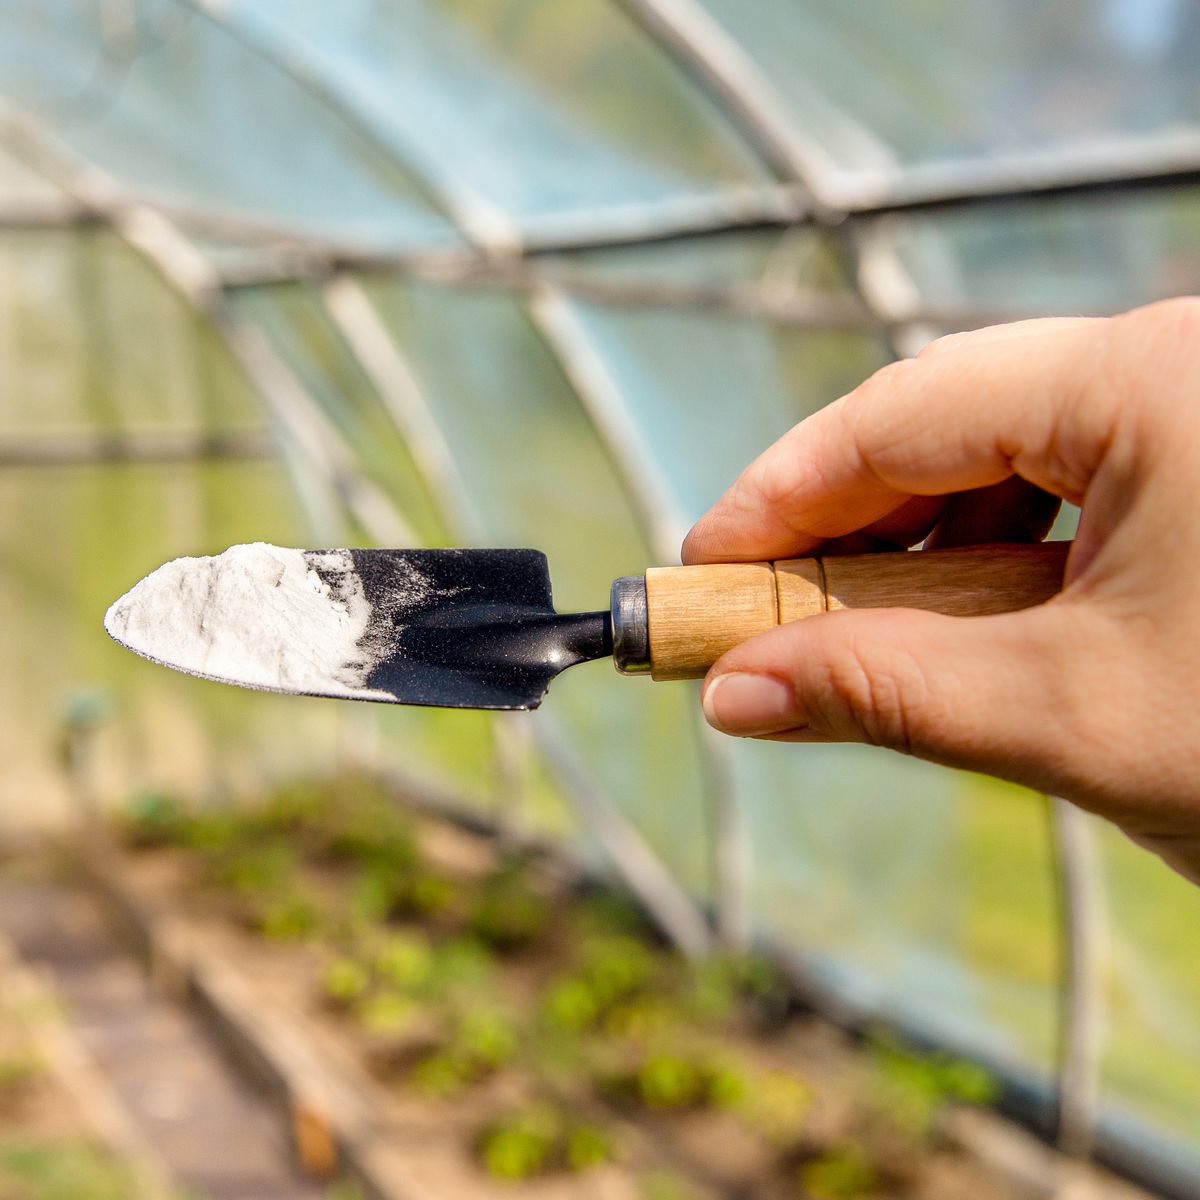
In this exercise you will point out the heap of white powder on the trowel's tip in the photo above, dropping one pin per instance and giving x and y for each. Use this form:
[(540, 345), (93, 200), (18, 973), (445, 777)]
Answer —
[(259, 616)]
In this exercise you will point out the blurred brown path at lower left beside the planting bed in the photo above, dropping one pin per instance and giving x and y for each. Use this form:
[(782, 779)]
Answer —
[(218, 1138)]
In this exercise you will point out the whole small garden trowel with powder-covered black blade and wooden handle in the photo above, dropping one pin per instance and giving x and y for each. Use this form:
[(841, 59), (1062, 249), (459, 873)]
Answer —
[(478, 628)]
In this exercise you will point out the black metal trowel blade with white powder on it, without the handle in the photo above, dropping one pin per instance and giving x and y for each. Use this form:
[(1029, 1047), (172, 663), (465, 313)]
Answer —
[(453, 628)]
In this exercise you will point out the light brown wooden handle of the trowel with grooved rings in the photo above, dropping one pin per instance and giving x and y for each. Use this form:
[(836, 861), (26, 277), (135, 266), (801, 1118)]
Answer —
[(697, 614)]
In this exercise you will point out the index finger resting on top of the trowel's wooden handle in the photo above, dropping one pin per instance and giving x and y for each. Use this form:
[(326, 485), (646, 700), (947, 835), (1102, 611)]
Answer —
[(1027, 399)]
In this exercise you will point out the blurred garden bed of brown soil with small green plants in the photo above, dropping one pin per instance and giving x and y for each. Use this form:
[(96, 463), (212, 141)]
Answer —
[(472, 1023)]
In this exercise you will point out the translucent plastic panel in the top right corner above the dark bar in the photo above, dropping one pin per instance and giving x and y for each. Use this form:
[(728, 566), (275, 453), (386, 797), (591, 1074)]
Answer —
[(878, 93)]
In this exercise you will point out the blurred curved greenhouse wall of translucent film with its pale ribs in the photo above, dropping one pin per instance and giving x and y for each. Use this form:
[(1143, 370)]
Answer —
[(511, 274)]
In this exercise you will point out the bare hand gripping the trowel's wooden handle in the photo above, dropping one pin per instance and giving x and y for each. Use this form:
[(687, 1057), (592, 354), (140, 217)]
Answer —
[(1094, 697)]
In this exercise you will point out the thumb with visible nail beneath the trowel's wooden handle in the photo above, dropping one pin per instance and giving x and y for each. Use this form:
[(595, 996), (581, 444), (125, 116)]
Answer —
[(995, 694)]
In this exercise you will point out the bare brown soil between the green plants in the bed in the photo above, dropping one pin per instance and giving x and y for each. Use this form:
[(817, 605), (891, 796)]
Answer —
[(694, 1153)]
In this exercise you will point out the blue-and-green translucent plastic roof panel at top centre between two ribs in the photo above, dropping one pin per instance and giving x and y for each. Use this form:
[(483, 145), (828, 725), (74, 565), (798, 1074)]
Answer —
[(503, 134)]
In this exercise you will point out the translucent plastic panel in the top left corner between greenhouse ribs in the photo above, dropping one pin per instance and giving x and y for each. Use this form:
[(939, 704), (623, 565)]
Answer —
[(179, 111)]
